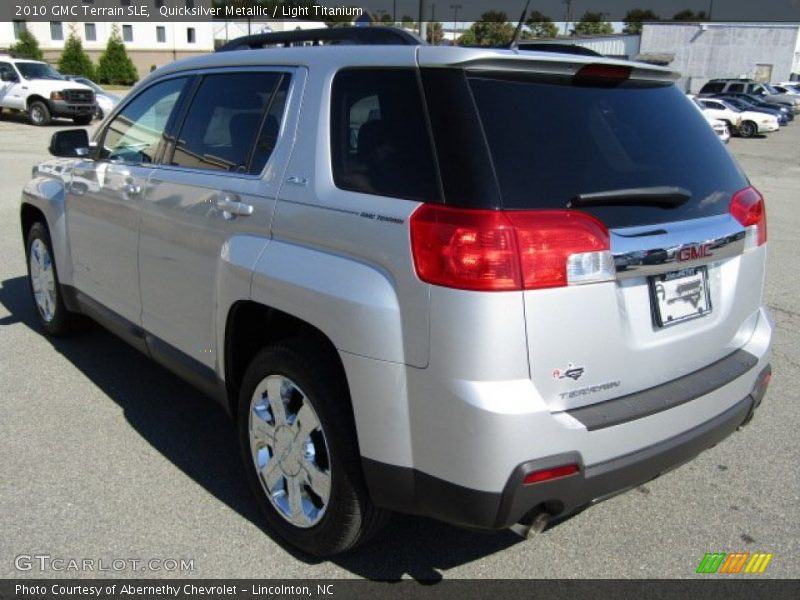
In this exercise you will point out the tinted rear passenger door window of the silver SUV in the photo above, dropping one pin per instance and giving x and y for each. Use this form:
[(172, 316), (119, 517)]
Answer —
[(233, 122)]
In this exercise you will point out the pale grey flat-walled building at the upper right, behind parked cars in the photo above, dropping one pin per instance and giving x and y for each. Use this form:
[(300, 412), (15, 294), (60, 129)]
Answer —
[(767, 52)]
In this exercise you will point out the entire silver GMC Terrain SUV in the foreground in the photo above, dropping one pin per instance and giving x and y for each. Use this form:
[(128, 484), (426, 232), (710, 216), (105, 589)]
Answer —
[(481, 285)]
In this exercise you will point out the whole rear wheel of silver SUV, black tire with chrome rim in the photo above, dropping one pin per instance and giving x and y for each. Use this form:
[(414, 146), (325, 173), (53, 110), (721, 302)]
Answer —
[(298, 441)]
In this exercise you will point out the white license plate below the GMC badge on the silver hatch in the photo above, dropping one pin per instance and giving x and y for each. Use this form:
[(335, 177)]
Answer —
[(680, 296)]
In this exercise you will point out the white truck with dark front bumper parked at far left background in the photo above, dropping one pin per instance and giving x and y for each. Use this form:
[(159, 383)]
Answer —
[(43, 93)]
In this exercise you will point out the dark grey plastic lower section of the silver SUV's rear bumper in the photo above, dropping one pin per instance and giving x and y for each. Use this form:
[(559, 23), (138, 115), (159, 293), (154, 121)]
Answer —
[(411, 491)]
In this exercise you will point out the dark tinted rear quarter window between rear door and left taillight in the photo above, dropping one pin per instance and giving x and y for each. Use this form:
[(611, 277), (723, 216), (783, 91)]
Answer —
[(379, 136)]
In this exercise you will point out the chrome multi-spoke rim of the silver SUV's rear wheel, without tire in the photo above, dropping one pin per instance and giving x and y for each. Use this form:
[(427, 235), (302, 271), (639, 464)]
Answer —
[(290, 452)]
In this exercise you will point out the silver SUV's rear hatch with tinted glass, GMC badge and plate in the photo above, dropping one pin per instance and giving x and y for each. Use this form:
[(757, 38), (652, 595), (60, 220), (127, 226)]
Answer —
[(636, 155)]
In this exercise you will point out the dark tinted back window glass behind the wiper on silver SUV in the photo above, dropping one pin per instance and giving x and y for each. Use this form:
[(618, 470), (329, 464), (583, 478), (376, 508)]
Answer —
[(550, 142)]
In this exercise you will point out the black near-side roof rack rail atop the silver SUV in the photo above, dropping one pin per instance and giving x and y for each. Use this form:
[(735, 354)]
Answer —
[(375, 36)]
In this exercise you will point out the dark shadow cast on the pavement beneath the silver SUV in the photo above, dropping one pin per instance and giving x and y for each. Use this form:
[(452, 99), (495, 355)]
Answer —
[(197, 436)]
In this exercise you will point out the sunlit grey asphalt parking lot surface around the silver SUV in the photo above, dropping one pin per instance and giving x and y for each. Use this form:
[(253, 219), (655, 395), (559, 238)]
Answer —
[(107, 456)]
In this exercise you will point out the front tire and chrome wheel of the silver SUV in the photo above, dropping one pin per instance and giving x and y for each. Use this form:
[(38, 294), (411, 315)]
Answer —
[(52, 314)]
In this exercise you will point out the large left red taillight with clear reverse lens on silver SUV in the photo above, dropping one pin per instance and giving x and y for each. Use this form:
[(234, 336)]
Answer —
[(486, 250)]
